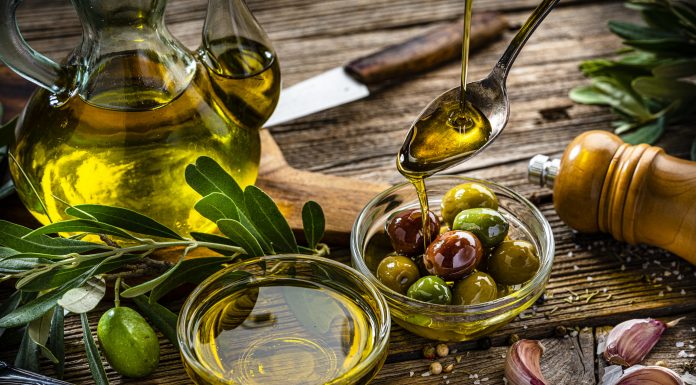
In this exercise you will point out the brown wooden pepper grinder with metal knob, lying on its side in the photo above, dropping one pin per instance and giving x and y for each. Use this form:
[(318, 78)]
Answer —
[(638, 194)]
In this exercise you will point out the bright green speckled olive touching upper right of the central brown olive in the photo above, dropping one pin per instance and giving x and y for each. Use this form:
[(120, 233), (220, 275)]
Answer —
[(489, 226)]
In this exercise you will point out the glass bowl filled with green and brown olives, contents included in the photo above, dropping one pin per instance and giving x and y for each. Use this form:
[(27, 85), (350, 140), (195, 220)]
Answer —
[(487, 256)]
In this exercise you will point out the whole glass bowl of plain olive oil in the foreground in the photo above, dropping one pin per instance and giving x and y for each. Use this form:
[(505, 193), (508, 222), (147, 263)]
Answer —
[(284, 319)]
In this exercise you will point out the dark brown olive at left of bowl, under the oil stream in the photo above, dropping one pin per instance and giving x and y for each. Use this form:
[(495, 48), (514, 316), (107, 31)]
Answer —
[(405, 230)]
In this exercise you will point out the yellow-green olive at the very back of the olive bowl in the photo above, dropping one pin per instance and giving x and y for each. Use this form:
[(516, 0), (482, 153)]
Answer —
[(466, 196)]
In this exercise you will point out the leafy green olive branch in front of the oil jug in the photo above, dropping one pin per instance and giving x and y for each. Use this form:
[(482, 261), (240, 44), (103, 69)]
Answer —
[(57, 274)]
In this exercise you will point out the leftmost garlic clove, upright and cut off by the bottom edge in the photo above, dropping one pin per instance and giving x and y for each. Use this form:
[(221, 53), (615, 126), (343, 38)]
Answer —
[(522, 365)]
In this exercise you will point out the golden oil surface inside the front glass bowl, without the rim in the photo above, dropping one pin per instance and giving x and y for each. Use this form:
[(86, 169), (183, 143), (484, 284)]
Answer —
[(284, 331)]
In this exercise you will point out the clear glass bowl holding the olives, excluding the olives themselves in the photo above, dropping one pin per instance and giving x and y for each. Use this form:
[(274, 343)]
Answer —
[(450, 322)]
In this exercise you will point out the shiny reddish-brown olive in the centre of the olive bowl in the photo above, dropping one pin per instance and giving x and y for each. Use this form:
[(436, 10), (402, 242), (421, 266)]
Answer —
[(453, 254)]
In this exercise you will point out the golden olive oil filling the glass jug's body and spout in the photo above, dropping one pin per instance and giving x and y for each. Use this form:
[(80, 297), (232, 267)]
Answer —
[(128, 145)]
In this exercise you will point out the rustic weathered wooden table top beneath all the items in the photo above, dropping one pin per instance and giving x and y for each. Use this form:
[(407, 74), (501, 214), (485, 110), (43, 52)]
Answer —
[(360, 140)]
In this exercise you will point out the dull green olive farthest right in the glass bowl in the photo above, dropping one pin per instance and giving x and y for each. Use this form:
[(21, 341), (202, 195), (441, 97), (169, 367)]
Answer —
[(513, 262)]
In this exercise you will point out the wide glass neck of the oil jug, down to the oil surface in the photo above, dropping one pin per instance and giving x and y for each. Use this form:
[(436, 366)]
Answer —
[(128, 60)]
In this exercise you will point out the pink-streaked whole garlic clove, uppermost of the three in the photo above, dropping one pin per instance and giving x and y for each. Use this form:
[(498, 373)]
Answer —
[(629, 342)]
